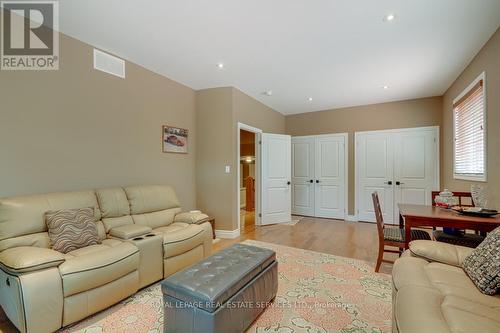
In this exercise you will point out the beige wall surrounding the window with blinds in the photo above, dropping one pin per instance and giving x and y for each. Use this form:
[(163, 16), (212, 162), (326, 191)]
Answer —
[(488, 60)]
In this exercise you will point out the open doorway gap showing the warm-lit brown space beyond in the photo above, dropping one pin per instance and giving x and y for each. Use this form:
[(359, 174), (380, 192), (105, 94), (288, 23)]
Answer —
[(247, 176)]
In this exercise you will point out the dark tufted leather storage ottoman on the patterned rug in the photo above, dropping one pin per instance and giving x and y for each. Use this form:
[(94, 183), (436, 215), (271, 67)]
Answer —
[(222, 293)]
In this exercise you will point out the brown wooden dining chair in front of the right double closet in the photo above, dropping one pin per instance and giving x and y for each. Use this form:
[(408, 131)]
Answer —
[(391, 236)]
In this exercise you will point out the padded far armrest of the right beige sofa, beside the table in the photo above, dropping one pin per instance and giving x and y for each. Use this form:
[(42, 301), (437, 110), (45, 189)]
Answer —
[(440, 252)]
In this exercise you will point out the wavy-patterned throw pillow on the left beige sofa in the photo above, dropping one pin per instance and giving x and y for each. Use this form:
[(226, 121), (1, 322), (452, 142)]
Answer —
[(71, 229)]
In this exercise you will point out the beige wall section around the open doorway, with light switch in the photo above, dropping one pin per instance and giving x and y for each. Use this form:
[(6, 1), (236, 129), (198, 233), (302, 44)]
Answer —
[(218, 112)]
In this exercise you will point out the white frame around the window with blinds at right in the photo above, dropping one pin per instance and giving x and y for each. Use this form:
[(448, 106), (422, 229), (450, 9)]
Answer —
[(478, 178)]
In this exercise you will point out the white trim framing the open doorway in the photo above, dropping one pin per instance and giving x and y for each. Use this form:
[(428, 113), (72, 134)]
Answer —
[(258, 132)]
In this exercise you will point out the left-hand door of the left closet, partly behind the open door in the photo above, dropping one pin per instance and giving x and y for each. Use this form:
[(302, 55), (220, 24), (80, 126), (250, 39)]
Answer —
[(303, 176)]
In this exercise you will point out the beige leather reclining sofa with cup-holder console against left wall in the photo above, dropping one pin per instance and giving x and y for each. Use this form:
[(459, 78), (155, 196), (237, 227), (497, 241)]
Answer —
[(145, 238)]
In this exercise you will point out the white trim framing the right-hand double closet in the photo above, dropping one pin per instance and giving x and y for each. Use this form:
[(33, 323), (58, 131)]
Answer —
[(395, 130)]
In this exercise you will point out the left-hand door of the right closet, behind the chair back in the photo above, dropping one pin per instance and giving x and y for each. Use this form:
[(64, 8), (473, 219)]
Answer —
[(374, 166)]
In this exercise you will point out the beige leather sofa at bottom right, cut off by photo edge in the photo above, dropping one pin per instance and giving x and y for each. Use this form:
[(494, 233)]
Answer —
[(433, 294)]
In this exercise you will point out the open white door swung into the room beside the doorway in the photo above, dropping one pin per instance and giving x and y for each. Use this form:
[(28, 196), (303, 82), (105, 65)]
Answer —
[(276, 178)]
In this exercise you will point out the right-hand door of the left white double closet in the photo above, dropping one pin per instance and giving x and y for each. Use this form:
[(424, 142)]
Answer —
[(330, 177)]
